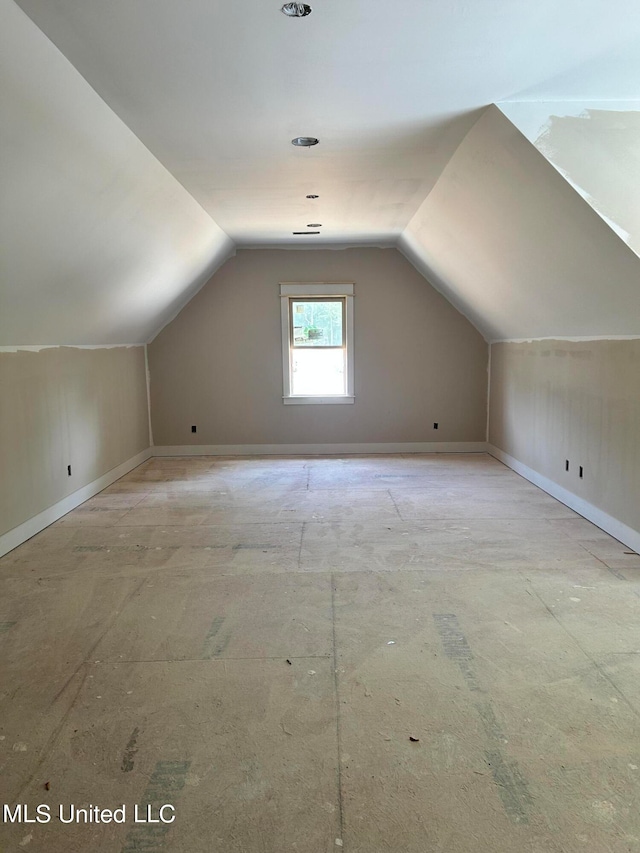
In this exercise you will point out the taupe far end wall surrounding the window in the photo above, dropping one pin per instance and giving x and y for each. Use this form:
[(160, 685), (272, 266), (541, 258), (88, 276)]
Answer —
[(417, 360)]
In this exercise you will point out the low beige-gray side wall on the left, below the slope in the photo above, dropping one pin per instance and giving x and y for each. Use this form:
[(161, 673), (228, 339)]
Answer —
[(62, 406)]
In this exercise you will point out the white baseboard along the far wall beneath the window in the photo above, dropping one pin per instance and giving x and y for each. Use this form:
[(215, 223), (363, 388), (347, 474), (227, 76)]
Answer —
[(320, 449)]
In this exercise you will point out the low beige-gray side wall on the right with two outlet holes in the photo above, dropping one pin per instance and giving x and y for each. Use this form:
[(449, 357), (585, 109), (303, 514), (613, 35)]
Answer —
[(554, 400)]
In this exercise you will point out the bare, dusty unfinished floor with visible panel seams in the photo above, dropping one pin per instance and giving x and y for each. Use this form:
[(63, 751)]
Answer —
[(368, 654)]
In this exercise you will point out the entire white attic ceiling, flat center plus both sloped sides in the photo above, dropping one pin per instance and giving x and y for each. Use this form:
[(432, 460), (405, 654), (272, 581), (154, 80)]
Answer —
[(145, 140)]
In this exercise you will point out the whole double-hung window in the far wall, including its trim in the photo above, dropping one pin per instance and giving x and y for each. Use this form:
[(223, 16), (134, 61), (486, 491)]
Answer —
[(317, 342)]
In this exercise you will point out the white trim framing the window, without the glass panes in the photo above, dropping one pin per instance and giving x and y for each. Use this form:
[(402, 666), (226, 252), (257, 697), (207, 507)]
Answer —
[(316, 288)]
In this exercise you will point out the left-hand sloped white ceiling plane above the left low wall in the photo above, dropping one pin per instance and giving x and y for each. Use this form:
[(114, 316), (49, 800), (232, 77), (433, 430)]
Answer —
[(99, 243)]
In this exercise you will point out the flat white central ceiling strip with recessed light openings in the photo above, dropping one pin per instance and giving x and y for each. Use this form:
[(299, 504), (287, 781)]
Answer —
[(216, 90)]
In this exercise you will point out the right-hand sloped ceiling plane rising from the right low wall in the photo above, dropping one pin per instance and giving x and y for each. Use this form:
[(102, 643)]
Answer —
[(516, 248)]
